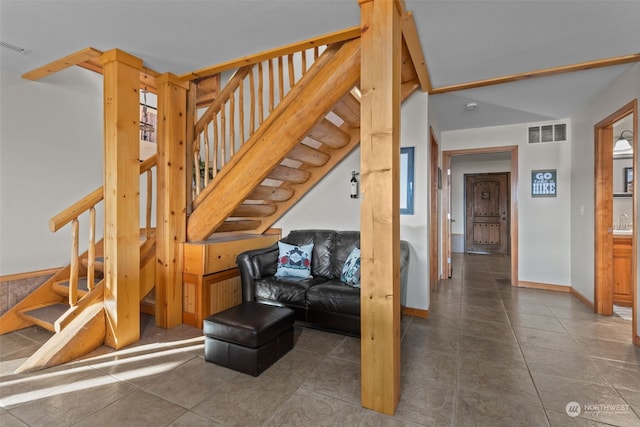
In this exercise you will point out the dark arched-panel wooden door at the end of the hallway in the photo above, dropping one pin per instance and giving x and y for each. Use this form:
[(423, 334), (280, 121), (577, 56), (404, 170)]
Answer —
[(487, 213)]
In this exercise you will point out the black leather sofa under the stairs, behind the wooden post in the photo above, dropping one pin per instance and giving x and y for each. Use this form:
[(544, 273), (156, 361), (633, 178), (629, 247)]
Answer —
[(321, 300)]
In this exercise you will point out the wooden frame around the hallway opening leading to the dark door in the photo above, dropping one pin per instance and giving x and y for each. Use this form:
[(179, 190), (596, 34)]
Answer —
[(446, 203)]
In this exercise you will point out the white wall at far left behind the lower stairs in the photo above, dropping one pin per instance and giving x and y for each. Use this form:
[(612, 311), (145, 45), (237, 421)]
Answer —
[(50, 156)]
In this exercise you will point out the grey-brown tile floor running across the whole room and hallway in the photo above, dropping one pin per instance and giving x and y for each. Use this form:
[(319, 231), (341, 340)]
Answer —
[(489, 355)]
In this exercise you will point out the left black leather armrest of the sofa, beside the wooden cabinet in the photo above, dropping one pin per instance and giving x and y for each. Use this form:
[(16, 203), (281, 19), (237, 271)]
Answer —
[(255, 264)]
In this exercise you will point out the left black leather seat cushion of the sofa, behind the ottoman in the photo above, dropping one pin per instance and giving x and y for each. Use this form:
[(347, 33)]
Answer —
[(287, 290)]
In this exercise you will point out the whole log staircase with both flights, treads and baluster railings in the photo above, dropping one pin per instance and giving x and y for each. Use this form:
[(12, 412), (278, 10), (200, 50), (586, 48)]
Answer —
[(253, 157)]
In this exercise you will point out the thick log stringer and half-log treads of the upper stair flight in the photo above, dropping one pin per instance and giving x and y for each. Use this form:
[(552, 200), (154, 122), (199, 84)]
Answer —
[(313, 127)]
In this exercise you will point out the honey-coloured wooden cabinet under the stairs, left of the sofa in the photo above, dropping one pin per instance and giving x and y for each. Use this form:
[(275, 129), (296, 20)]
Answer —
[(211, 280)]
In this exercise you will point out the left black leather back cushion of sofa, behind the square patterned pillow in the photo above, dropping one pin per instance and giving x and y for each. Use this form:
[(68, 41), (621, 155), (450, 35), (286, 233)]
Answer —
[(323, 242)]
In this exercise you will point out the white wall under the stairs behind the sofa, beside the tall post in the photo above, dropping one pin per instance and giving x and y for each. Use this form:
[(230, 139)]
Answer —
[(329, 206)]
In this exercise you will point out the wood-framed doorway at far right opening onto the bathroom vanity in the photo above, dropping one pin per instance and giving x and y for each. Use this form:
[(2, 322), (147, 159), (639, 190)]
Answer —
[(615, 274)]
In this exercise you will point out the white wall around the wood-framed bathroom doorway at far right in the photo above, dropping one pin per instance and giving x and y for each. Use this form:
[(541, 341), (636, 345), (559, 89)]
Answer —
[(622, 91)]
